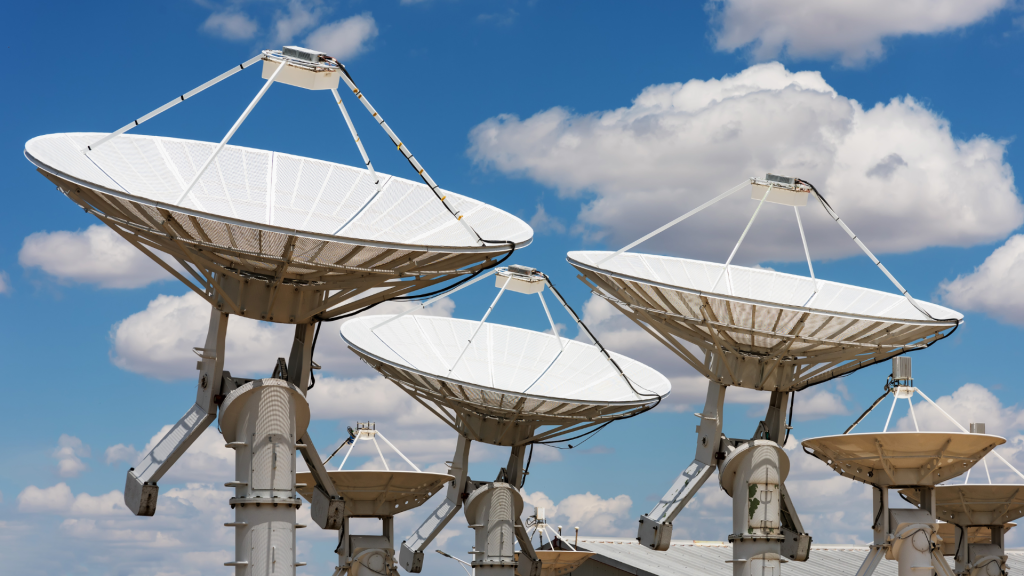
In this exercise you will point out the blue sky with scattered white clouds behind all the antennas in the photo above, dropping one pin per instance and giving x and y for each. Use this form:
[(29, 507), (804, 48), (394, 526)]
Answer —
[(594, 121)]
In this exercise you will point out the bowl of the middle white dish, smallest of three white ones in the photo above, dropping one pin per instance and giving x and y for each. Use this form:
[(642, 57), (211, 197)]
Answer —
[(507, 375)]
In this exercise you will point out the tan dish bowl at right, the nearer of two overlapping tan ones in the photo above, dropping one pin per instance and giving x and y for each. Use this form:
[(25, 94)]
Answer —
[(897, 460)]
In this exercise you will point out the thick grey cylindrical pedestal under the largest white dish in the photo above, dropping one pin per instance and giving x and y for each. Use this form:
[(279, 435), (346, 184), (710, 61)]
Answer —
[(262, 422)]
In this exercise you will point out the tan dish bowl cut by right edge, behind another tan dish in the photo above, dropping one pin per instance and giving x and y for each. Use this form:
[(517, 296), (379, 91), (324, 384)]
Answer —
[(975, 505)]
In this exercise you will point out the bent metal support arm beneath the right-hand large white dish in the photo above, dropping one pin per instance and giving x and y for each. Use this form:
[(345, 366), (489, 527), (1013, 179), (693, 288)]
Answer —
[(656, 527)]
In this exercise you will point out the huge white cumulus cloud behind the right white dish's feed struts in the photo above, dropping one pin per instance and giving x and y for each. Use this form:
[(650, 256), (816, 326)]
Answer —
[(894, 172)]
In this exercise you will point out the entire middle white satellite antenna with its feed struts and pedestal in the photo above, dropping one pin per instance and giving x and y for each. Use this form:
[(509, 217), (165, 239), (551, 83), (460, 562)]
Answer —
[(505, 387)]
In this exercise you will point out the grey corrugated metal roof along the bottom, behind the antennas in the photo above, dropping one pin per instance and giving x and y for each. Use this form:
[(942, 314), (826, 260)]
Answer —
[(692, 557)]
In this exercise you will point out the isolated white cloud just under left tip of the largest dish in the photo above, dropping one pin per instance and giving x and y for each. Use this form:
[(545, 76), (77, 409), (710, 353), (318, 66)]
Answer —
[(97, 256)]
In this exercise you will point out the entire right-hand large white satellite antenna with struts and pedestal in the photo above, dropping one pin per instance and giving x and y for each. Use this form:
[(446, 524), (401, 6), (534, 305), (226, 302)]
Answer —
[(763, 331)]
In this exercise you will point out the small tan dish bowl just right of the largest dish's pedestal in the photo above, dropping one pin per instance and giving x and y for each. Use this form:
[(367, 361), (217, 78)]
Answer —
[(378, 492)]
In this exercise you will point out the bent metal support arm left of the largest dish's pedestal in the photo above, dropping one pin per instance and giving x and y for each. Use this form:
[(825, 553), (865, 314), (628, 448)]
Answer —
[(141, 484)]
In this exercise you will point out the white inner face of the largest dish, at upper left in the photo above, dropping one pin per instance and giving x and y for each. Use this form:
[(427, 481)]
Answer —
[(278, 191)]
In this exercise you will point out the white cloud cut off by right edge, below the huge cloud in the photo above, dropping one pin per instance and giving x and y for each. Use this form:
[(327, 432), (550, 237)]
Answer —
[(996, 287)]
